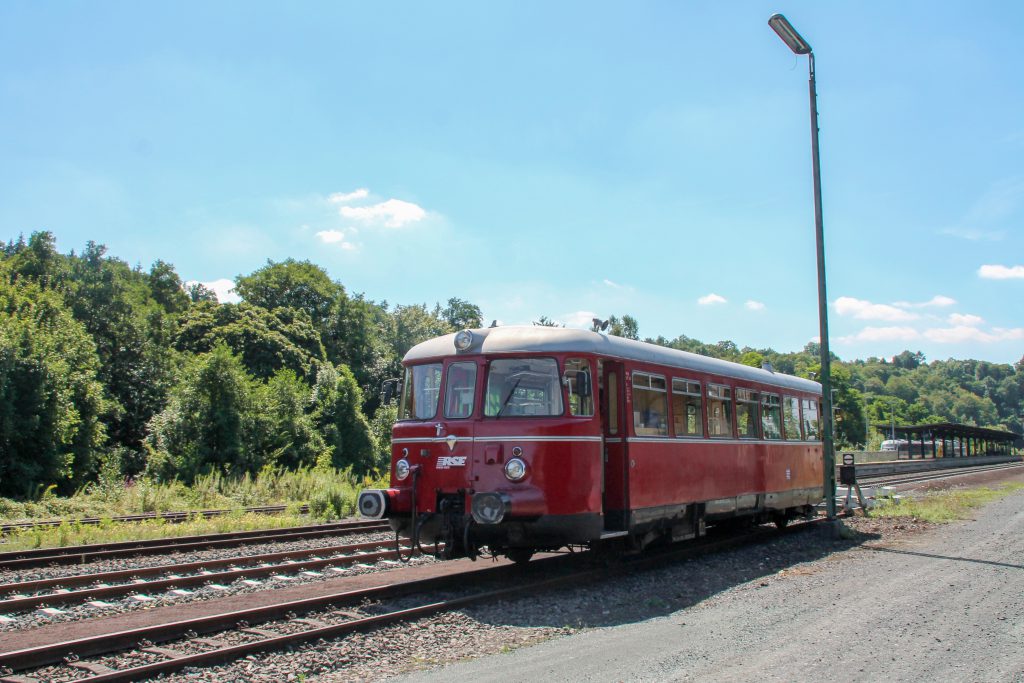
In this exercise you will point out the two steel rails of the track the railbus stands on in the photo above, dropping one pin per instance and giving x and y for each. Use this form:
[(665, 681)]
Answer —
[(104, 645)]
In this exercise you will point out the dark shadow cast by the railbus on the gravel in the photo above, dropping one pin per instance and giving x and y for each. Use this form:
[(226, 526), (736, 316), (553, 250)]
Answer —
[(652, 593)]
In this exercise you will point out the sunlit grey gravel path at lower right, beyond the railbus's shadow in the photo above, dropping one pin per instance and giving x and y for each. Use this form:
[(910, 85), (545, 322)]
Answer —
[(947, 606)]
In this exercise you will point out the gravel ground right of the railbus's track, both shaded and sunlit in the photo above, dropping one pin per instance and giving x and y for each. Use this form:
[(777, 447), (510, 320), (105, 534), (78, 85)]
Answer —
[(903, 601)]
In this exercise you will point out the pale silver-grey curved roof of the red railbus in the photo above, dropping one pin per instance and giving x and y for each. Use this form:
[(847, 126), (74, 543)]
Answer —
[(540, 339)]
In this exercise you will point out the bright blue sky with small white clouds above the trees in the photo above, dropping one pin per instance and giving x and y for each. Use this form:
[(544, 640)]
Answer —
[(568, 160)]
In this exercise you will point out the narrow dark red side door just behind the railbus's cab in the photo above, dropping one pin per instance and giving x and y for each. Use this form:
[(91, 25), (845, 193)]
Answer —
[(616, 498)]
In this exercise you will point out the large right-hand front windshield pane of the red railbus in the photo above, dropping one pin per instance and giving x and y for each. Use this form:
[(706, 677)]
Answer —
[(523, 388)]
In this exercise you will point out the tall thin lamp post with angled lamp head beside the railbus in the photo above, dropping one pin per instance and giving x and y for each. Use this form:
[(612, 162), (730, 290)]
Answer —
[(797, 44)]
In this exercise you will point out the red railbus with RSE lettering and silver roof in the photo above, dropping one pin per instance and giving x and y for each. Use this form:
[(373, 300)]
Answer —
[(519, 440)]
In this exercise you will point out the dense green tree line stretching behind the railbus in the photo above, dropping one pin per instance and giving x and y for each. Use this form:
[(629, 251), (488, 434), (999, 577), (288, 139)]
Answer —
[(113, 367)]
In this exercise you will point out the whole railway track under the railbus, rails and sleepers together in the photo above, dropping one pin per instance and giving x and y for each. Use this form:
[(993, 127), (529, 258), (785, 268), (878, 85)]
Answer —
[(163, 648)]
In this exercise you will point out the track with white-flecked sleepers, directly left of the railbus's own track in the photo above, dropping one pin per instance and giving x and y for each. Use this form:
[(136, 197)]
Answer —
[(359, 554)]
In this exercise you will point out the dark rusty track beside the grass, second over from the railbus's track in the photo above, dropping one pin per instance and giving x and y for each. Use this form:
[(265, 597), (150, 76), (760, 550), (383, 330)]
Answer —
[(22, 560)]
